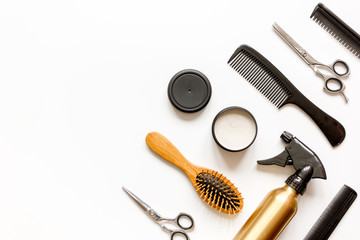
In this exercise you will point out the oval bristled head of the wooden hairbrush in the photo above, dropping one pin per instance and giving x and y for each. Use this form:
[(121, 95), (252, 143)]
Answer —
[(219, 192)]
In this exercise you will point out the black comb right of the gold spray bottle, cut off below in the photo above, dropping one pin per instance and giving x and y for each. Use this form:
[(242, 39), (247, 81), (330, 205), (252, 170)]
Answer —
[(332, 215)]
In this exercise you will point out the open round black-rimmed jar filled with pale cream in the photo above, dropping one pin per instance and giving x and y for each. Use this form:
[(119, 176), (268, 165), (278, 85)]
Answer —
[(234, 129)]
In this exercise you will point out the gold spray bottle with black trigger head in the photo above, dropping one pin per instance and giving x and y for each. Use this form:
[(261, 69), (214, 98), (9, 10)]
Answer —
[(280, 205)]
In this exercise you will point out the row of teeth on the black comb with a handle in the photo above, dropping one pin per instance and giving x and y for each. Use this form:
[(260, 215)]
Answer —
[(260, 76)]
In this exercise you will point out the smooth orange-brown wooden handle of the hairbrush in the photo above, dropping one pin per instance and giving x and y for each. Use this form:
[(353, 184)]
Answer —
[(162, 146)]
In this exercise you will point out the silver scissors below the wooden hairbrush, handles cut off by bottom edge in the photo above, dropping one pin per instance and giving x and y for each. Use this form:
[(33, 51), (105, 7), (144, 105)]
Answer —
[(162, 221)]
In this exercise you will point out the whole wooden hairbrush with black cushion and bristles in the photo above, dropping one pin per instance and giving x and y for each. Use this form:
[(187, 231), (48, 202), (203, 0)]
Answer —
[(214, 188)]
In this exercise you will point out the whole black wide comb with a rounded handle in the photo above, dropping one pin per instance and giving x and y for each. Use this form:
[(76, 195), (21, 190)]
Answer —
[(266, 78)]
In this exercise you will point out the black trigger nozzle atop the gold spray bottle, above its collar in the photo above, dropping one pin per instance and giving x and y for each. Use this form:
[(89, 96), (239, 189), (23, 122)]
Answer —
[(297, 154)]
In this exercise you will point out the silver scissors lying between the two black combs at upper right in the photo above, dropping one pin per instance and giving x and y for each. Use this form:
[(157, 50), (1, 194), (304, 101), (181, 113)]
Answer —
[(338, 69)]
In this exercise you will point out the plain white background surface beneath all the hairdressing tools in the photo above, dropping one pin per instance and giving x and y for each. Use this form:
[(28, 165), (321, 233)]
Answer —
[(83, 82)]
